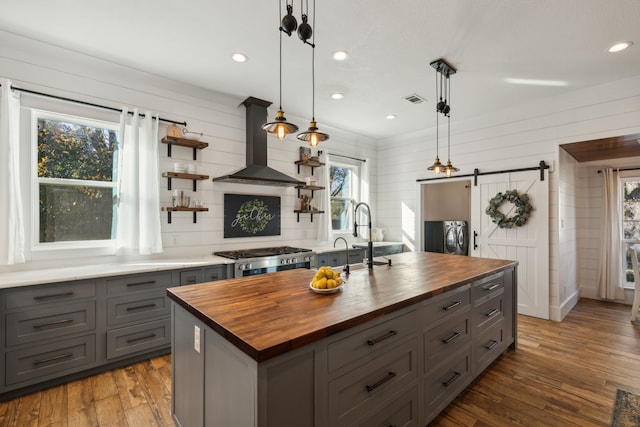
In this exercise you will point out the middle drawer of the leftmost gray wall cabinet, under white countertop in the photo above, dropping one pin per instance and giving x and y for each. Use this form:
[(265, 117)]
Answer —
[(50, 322)]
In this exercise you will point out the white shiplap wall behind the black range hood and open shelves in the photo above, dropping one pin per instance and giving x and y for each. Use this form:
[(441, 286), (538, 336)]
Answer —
[(38, 66)]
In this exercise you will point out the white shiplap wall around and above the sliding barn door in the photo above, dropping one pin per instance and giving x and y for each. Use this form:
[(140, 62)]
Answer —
[(517, 137)]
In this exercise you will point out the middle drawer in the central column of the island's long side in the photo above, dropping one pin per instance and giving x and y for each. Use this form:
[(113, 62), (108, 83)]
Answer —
[(443, 340)]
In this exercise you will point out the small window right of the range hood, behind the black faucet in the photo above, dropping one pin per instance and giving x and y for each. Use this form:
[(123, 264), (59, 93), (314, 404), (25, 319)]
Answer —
[(344, 184)]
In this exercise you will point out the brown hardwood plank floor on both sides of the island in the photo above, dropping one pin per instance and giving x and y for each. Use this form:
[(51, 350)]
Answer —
[(563, 374)]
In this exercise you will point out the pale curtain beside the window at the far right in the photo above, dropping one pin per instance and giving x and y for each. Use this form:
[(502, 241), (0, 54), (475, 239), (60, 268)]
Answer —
[(611, 253)]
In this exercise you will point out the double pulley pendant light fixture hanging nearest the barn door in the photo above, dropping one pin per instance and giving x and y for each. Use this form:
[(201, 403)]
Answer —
[(443, 93)]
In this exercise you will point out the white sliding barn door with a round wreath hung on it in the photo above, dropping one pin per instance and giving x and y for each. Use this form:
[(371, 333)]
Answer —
[(527, 244)]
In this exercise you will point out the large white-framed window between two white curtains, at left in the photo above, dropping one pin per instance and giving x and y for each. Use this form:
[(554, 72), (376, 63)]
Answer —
[(75, 180)]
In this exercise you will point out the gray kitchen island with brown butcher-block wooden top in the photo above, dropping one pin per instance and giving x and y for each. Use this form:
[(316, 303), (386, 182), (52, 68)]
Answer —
[(392, 347)]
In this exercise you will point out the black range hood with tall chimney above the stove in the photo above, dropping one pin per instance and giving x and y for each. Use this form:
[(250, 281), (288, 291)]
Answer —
[(257, 172)]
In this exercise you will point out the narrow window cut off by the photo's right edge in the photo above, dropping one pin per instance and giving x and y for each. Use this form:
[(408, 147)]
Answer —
[(630, 221)]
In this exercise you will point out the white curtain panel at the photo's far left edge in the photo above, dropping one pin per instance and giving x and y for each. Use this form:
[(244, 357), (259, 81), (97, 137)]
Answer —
[(11, 214)]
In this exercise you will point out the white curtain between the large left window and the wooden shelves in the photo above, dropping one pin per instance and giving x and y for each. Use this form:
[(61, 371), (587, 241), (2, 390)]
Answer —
[(138, 230)]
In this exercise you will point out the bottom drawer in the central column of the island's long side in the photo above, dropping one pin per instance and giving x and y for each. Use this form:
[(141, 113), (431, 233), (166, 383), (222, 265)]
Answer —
[(447, 380)]
